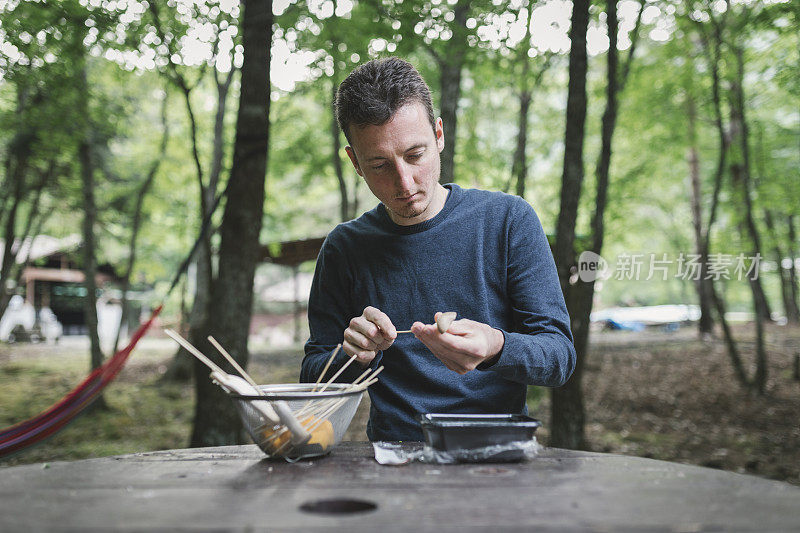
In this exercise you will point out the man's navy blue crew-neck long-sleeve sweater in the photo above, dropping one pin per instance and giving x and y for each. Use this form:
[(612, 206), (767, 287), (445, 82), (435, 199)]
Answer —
[(485, 256)]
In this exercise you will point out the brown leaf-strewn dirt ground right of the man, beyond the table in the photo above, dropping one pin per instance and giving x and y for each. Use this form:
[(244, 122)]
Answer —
[(674, 397)]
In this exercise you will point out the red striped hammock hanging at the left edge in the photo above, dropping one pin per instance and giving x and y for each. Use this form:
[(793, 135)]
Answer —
[(46, 423)]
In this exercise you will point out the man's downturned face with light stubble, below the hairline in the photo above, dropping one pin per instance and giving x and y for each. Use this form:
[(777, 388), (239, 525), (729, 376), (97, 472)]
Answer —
[(399, 160)]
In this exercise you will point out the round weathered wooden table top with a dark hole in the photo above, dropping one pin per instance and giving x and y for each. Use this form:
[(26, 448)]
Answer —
[(236, 488)]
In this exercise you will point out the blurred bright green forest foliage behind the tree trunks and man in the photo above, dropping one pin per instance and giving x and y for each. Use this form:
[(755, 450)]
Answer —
[(137, 51)]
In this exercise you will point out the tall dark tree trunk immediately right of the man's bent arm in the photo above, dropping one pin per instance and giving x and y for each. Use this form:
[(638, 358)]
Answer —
[(567, 411)]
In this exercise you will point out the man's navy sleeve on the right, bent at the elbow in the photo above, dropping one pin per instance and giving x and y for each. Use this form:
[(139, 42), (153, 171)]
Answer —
[(539, 348)]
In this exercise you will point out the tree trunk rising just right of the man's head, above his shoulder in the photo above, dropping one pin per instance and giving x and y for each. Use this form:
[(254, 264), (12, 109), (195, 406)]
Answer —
[(451, 64)]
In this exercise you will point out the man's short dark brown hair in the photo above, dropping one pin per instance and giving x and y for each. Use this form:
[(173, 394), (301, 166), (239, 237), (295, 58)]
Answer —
[(374, 91)]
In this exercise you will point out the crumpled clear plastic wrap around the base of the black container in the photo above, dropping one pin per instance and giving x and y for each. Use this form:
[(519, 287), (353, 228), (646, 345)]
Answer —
[(389, 453)]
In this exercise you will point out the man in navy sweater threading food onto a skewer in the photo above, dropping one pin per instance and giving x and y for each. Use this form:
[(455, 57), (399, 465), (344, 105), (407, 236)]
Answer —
[(428, 248)]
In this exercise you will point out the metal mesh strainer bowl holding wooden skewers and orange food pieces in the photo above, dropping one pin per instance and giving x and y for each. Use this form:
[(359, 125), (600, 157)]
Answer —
[(291, 420)]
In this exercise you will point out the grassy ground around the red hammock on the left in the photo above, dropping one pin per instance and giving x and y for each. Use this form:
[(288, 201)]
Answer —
[(142, 412)]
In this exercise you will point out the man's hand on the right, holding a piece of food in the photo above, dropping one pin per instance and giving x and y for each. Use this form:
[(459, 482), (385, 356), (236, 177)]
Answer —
[(464, 345)]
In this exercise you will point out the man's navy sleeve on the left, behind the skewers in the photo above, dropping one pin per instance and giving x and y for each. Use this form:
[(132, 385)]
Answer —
[(329, 313)]
